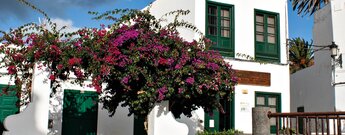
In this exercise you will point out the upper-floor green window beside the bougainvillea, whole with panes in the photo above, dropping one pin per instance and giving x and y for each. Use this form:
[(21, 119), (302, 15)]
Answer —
[(219, 27)]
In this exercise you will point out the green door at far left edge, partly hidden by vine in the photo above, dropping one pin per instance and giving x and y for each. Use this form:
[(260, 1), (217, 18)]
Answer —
[(8, 104)]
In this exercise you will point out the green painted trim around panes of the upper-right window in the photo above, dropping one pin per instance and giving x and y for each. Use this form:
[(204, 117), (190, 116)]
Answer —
[(265, 56)]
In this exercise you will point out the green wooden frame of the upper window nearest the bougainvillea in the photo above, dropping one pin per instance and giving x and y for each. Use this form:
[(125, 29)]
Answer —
[(229, 51)]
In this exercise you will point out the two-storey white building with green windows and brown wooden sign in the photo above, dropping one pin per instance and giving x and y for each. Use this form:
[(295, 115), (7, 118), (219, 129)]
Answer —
[(250, 27)]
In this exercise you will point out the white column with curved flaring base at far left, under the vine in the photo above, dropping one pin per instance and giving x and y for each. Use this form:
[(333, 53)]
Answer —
[(34, 119)]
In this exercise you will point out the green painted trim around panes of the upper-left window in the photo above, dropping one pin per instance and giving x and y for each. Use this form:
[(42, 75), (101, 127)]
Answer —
[(230, 52)]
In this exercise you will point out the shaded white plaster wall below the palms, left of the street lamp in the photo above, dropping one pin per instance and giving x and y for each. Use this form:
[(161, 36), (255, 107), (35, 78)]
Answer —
[(311, 88)]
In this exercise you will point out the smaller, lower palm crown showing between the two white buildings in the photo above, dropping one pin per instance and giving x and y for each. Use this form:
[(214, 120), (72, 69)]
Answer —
[(301, 54)]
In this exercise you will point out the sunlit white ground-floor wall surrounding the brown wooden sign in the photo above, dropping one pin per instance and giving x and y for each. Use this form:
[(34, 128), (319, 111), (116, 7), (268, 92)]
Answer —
[(279, 84)]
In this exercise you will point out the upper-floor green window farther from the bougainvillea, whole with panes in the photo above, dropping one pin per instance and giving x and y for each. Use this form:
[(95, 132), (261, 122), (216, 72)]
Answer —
[(266, 36)]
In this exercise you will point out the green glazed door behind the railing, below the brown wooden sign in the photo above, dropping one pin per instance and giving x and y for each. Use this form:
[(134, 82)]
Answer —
[(271, 100)]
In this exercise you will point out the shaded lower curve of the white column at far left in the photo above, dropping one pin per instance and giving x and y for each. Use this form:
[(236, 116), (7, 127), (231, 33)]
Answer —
[(28, 118)]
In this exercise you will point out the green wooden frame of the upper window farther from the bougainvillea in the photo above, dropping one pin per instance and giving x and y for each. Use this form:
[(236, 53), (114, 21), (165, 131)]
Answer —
[(264, 54)]
